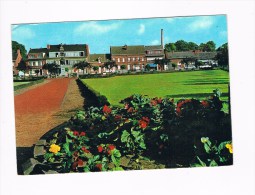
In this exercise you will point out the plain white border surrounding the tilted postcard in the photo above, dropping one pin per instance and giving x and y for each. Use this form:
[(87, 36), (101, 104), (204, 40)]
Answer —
[(237, 179)]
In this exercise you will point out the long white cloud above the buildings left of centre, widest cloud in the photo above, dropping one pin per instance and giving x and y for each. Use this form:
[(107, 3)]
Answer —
[(95, 28)]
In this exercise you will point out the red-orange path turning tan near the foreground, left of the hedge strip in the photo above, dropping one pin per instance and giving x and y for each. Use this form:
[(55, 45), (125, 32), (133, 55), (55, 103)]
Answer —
[(34, 109)]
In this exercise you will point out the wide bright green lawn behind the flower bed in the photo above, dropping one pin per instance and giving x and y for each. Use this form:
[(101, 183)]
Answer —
[(197, 84)]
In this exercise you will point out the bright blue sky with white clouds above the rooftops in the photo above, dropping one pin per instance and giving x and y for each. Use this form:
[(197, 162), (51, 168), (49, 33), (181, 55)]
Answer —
[(100, 35)]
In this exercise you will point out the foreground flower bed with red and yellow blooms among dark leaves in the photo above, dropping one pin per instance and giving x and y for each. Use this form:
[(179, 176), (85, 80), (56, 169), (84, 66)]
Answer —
[(144, 133)]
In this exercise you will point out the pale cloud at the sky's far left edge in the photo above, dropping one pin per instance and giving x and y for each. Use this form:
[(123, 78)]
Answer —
[(20, 32)]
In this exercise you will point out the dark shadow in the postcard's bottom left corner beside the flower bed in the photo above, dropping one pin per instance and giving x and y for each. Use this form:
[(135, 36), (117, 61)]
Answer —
[(23, 154)]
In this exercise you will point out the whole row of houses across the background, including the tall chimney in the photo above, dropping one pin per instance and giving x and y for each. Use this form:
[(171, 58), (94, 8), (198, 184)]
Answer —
[(134, 57)]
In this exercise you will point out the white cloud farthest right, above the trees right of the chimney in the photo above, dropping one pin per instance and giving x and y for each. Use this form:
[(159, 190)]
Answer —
[(202, 23)]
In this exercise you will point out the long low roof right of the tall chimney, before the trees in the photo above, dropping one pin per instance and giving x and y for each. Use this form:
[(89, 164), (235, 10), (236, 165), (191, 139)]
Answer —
[(191, 54)]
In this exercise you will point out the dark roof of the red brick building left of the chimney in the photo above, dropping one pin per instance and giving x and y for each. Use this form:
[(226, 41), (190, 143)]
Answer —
[(127, 50)]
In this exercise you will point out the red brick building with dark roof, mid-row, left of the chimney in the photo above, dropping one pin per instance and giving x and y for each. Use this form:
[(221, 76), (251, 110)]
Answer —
[(133, 57)]
